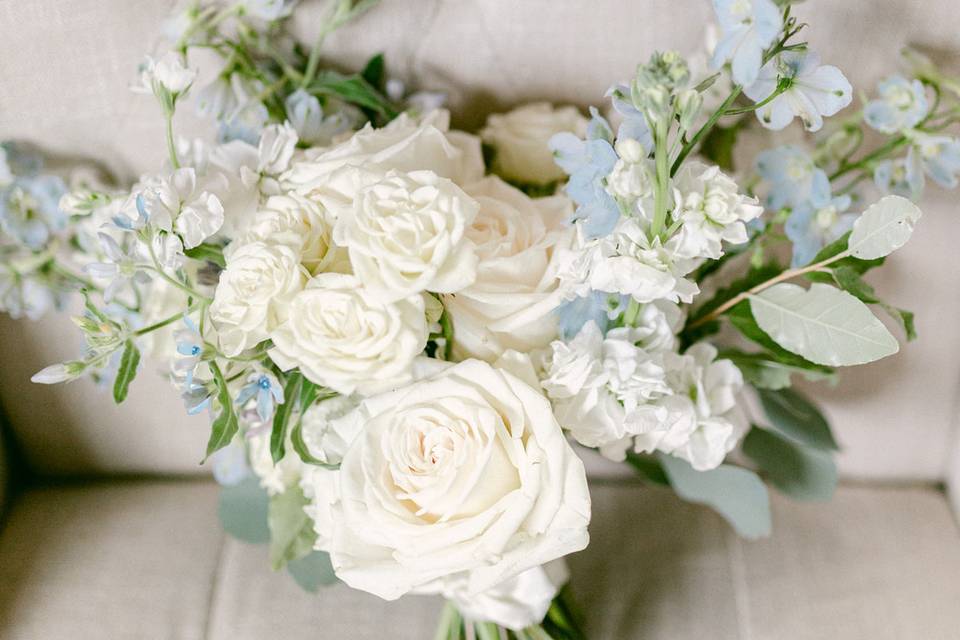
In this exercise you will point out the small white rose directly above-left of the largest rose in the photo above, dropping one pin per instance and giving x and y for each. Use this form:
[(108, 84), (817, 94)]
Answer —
[(341, 337)]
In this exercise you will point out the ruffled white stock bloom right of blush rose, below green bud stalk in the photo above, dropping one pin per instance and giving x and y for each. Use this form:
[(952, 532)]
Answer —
[(627, 262)]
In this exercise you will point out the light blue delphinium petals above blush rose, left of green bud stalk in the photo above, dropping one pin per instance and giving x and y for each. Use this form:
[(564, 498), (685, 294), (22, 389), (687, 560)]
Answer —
[(588, 162)]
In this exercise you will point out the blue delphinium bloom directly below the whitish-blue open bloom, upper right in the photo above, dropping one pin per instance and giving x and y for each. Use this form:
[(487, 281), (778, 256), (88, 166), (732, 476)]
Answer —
[(794, 178)]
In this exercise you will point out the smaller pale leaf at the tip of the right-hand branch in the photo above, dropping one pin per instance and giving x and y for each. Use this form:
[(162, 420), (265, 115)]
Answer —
[(883, 228)]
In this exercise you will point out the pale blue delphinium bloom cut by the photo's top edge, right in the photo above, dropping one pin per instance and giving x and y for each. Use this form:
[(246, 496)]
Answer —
[(747, 28)]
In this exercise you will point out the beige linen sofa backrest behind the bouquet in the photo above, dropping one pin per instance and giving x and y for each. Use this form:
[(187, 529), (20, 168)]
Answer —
[(66, 66)]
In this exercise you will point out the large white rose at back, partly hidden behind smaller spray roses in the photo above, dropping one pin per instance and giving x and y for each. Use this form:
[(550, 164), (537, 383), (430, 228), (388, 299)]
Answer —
[(406, 144)]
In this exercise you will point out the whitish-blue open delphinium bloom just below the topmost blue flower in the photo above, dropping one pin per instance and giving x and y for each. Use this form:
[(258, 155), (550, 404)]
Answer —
[(814, 91)]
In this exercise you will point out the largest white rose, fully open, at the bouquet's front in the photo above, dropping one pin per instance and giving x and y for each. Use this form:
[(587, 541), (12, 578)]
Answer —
[(464, 476)]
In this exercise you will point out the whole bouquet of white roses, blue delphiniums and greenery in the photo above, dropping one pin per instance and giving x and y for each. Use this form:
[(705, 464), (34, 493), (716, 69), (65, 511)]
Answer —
[(406, 335)]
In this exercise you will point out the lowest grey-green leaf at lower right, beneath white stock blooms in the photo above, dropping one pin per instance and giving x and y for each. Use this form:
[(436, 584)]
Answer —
[(735, 493)]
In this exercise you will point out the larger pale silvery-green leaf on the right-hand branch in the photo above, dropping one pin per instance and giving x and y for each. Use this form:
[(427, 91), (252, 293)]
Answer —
[(823, 324)]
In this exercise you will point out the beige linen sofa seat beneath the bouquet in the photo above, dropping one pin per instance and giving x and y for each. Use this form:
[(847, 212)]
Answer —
[(134, 559)]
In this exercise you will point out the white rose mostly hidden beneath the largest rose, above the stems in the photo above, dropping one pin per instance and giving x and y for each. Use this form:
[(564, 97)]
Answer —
[(519, 602)]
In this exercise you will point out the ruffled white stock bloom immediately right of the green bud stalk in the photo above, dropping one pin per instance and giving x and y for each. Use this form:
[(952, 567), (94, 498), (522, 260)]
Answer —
[(712, 210)]
